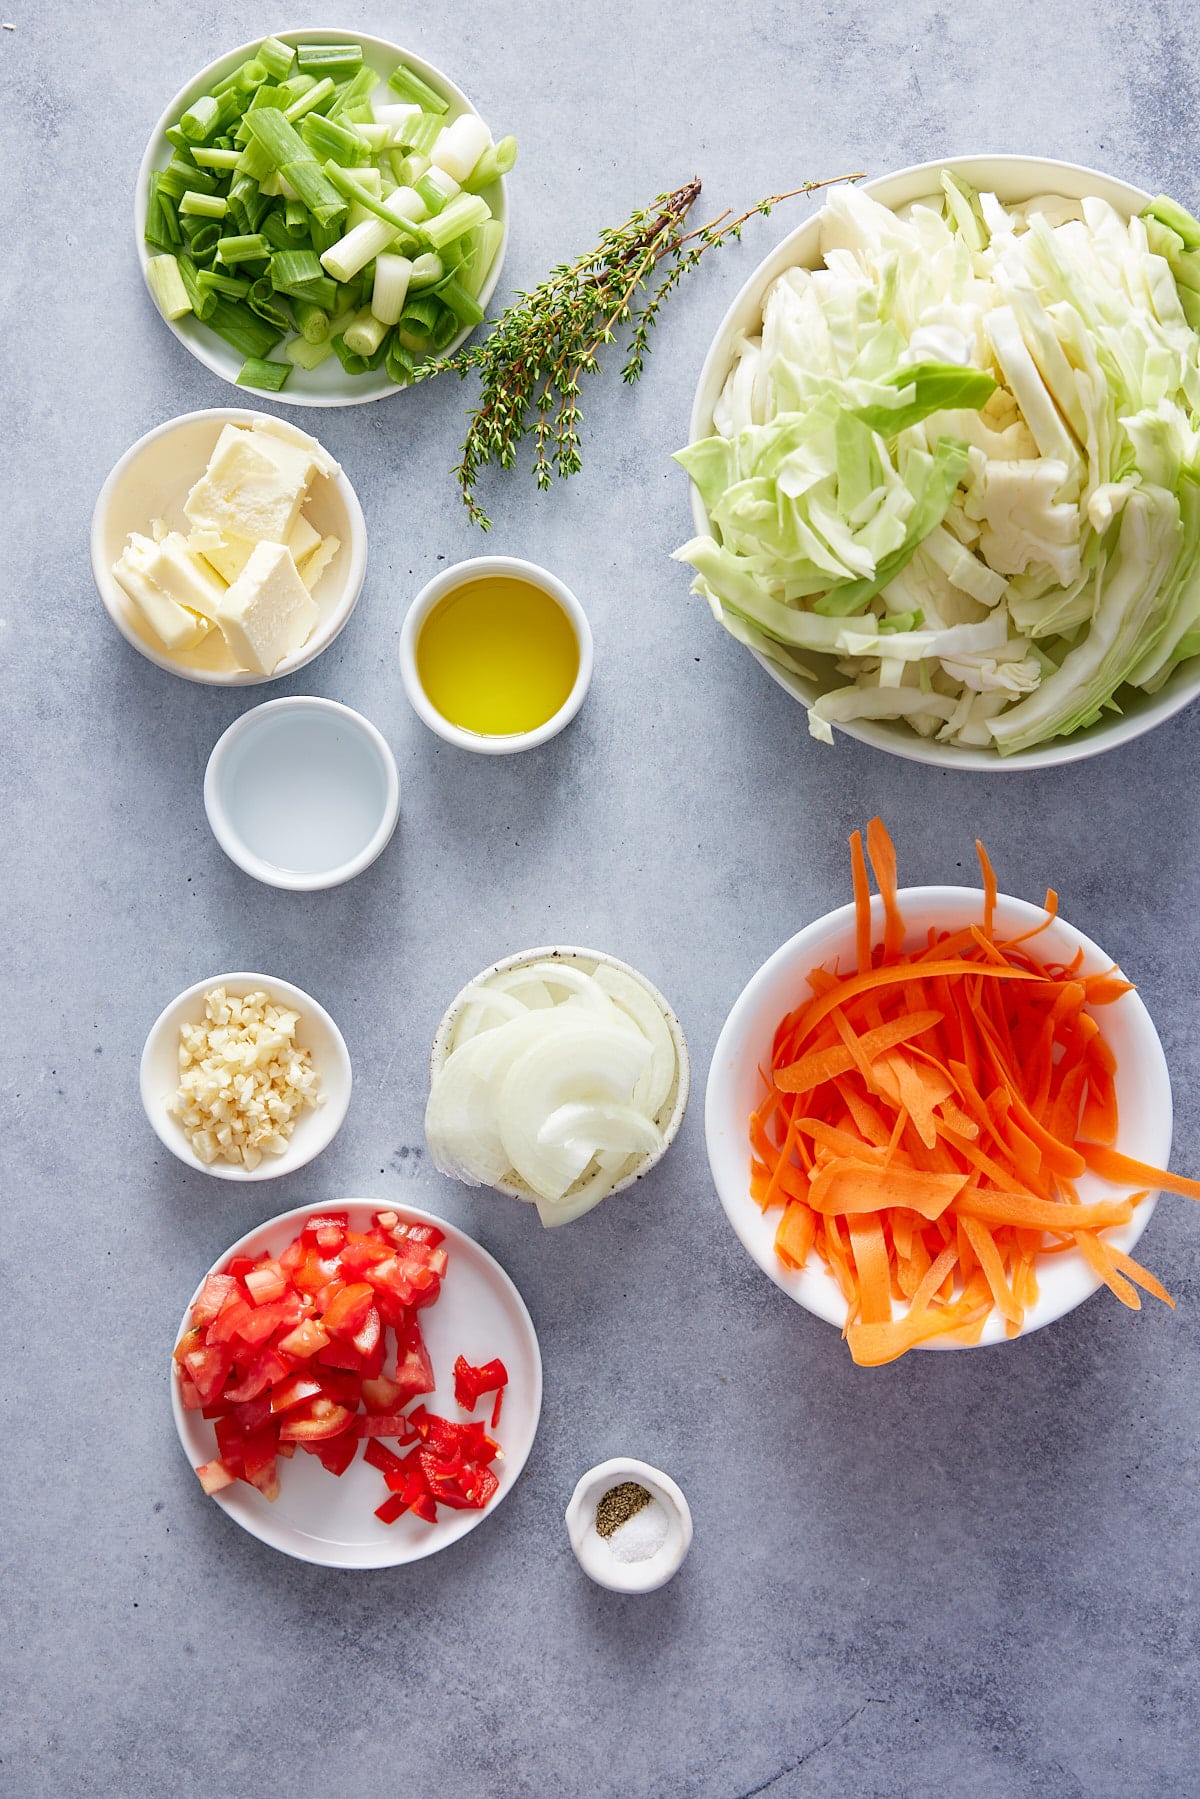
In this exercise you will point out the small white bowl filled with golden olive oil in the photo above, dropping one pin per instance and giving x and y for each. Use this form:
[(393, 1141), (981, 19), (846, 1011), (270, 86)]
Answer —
[(496, 656)]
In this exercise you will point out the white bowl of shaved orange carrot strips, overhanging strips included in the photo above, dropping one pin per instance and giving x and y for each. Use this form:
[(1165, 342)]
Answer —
[(958, 1145)]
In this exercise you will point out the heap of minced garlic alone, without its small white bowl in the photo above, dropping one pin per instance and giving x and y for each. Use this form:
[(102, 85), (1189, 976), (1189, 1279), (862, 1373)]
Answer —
[(244, 1080)]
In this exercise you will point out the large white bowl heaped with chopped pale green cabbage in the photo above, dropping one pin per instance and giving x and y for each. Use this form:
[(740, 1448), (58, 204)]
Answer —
[(945, 461)]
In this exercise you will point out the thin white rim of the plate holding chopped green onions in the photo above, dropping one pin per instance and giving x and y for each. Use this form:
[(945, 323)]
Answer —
[(211, 350)]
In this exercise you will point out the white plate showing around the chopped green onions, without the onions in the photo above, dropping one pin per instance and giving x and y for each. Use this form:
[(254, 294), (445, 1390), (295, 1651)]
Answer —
[(327, 386)]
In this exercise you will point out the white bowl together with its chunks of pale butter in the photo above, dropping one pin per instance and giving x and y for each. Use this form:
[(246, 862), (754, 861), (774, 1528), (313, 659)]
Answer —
[(229, 548)]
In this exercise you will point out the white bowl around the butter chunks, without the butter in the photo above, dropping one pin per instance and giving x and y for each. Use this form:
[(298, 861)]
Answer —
[(154, 479)]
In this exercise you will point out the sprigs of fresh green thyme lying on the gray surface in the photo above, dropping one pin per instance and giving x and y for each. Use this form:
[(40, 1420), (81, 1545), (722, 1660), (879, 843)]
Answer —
[(539, 350)]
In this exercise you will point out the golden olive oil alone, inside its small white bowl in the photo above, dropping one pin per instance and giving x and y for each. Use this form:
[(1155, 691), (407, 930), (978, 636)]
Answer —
[(497, 656)]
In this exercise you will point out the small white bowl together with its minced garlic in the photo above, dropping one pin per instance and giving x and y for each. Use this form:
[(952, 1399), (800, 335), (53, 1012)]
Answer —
[(246, 1077)]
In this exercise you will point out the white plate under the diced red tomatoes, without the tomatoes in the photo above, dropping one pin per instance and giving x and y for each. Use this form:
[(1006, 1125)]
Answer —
[(330, 1519)]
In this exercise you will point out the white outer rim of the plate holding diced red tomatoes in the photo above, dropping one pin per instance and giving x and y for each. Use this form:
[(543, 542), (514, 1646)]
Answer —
[(238, 1503)]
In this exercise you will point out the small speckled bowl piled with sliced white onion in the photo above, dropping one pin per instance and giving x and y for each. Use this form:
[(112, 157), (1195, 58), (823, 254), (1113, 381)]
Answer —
[(557, 1077)]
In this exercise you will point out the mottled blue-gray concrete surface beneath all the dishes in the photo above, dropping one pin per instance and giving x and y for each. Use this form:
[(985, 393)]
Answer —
[(965, 1575)]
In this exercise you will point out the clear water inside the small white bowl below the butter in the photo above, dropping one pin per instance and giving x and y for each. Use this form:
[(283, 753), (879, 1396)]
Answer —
[(305, 792)]
